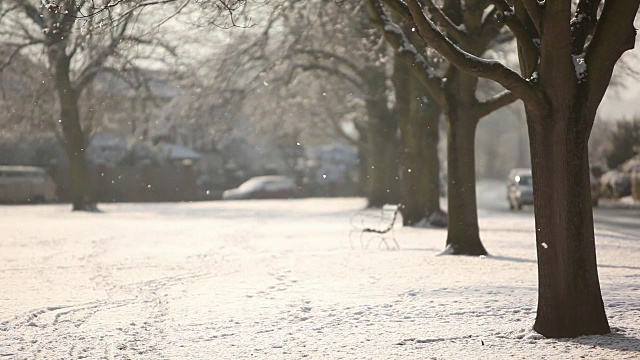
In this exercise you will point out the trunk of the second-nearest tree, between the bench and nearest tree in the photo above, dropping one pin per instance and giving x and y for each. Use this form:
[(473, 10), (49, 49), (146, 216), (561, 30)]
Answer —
[(463, 236)]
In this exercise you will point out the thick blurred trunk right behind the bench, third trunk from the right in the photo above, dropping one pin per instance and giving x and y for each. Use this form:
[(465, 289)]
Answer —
[(418, 119)]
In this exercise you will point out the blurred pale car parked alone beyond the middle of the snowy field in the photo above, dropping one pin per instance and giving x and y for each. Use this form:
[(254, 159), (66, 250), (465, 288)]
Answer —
[(263, 187)]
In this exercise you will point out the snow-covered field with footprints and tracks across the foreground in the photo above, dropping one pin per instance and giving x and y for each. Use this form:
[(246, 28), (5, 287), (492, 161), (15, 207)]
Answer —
[(279, 280)]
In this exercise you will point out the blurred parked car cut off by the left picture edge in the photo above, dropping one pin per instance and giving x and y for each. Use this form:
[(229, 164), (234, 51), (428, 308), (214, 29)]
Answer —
[(26, 184)]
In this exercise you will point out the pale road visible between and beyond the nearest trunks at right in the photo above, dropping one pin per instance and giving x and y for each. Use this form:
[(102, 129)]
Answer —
[(492, 196)]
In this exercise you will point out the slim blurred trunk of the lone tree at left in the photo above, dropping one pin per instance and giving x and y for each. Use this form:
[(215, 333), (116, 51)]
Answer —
[(75, 140)]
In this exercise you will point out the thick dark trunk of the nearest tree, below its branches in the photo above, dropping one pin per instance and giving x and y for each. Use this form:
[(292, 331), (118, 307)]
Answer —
[(569, 299)]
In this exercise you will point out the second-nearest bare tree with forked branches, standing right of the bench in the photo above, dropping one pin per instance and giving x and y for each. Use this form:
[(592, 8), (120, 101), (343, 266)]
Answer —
[(456, 94)]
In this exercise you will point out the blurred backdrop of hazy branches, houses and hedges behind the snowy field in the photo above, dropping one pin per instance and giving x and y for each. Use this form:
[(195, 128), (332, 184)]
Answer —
[(180, 104)]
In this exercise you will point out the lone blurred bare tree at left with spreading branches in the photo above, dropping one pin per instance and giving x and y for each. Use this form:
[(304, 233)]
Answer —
[(81, 39)]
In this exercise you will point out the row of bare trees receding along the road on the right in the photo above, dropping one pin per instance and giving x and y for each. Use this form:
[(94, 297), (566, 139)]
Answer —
[(567, 51)]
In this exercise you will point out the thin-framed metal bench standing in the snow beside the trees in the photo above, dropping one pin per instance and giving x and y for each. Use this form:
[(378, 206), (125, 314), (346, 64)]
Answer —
[(370, 226)]
